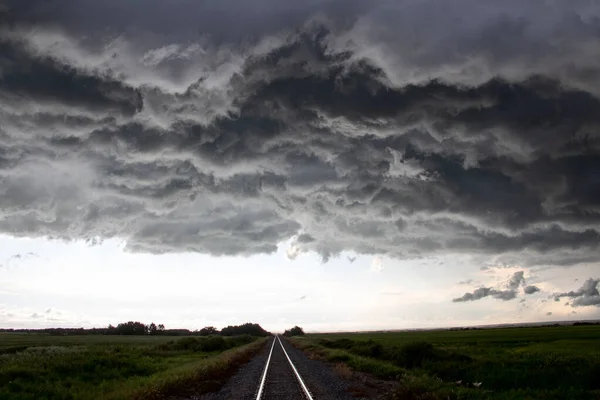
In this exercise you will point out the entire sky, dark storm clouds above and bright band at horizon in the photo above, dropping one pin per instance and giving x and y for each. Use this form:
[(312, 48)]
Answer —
[(340, 165)]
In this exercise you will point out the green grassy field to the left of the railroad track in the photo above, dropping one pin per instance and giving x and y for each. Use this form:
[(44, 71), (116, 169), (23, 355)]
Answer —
[(90, 367)]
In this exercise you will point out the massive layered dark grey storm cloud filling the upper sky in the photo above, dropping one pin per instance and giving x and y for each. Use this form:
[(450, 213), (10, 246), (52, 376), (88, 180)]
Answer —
[(401, 129)]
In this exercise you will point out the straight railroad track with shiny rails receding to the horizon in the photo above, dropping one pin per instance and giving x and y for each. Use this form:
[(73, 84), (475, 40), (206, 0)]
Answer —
[(280, 379)]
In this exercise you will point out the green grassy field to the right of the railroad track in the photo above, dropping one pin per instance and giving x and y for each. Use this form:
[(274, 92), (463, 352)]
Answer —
[(512, 363)]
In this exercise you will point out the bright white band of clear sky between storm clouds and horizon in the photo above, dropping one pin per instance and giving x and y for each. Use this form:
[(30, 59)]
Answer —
[(46, 283)]
